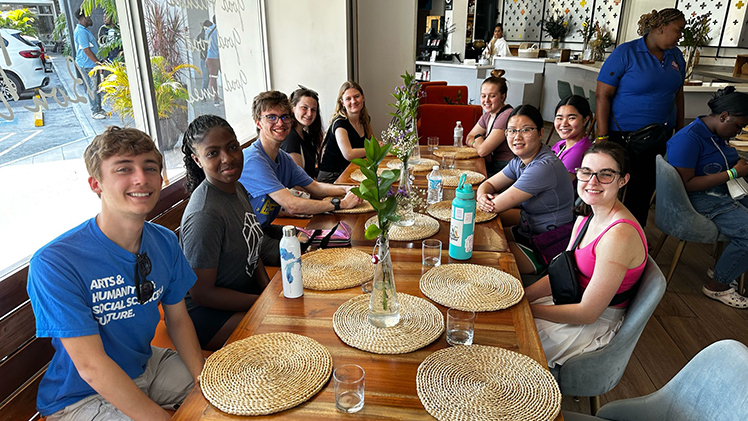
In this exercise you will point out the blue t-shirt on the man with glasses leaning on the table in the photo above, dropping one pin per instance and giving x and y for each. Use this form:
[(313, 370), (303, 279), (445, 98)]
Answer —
[(262, 176)]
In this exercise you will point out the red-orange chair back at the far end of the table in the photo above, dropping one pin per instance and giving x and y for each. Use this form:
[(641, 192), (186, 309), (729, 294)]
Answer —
[(439, 120)]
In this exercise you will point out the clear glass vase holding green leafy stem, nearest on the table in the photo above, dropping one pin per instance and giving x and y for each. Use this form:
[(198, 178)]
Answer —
[(384, 309)]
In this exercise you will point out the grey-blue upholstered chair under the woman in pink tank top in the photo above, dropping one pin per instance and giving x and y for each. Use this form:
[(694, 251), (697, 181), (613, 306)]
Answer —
[(597, 372)]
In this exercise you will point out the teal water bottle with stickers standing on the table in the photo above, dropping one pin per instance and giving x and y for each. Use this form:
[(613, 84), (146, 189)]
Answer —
[(462, 224)]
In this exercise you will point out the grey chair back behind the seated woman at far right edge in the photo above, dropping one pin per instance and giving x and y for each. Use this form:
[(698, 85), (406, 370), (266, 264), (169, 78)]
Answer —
[(674, 214)]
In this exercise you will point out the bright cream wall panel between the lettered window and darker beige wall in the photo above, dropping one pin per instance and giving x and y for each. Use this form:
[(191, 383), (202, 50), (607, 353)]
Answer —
[(307, 46)]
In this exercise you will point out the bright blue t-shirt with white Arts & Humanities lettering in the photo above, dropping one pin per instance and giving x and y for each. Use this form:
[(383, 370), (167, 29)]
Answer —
[(82, 283)]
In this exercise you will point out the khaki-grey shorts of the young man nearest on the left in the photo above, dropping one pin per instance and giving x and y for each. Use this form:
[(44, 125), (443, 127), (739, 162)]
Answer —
[(166, 380)]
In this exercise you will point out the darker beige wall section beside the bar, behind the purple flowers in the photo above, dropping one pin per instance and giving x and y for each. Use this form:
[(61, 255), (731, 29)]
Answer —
[(386, 49)]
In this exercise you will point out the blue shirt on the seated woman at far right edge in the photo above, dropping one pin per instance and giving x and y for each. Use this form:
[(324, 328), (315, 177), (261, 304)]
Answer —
[(692, 147)]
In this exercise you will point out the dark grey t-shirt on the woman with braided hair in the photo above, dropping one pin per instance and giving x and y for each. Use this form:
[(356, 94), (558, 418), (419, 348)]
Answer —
[(220, 230)]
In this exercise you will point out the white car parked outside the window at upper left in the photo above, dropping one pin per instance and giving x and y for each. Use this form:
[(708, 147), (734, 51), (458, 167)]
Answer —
[(27, 67)]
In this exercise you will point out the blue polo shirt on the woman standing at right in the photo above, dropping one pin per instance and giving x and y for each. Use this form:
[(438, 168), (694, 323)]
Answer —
[(646, 87)]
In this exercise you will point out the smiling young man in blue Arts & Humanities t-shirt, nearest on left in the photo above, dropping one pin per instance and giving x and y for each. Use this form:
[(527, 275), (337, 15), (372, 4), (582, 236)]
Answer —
[(95, 291)]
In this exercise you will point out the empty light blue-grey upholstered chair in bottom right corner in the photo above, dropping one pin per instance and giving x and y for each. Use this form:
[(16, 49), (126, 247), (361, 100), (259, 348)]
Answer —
[(712, 386)]
